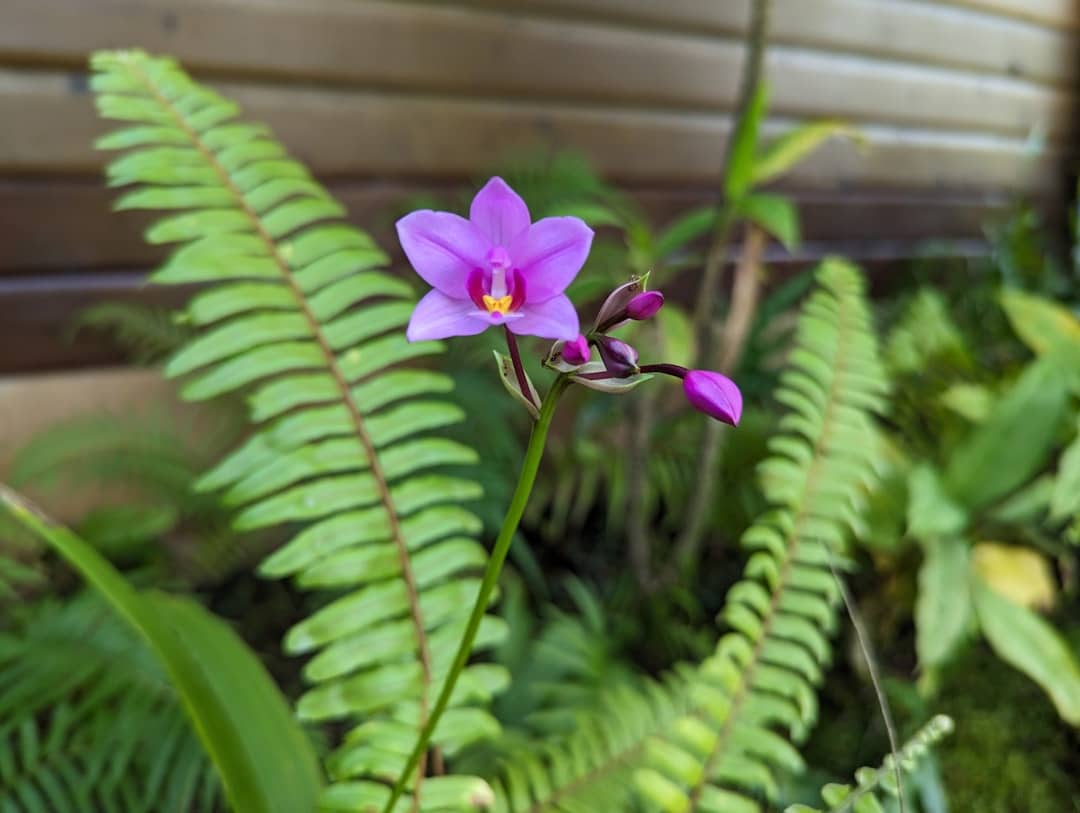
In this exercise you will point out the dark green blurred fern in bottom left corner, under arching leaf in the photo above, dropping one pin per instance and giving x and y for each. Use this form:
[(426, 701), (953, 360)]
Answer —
[(90, 722)]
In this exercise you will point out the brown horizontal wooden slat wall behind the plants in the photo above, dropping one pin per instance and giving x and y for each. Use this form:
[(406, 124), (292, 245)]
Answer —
[(385, 98)]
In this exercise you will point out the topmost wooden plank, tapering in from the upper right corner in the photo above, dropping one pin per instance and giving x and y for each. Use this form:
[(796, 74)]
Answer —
[(923, 32)]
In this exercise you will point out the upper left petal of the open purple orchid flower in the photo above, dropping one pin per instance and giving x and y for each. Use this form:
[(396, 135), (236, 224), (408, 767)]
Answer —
[(444, 249)]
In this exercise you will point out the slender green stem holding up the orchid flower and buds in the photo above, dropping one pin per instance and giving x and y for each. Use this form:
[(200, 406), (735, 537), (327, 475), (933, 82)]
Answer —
[(525, 481)]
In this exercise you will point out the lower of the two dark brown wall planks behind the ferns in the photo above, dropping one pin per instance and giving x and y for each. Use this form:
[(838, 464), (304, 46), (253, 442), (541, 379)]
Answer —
[(37, 315)]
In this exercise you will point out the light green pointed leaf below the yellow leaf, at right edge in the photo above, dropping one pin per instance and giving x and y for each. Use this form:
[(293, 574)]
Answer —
[(1024, 641)]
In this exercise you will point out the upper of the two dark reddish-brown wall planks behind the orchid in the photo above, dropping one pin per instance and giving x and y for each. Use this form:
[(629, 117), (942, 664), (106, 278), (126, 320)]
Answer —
[(67, 225)]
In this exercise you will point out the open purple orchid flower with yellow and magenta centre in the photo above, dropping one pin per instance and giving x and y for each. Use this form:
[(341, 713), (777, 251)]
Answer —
[(497, 268)]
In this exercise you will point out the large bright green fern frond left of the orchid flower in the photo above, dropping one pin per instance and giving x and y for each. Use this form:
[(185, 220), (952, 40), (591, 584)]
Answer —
[(298, 313)]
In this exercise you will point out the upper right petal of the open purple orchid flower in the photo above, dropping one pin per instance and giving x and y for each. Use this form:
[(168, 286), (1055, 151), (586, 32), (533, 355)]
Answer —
[(550, 254)]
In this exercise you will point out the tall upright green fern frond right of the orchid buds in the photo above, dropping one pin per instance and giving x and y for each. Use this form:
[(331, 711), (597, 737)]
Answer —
[(759, 692)]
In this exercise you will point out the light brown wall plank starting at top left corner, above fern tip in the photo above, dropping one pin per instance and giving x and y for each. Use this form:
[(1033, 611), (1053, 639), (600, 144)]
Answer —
[(447, 50)]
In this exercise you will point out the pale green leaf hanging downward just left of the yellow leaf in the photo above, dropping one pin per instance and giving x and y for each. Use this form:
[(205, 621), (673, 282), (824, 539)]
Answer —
[(943, 611)]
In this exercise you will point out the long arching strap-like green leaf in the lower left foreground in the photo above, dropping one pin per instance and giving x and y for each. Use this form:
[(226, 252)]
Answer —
[(264, 760)]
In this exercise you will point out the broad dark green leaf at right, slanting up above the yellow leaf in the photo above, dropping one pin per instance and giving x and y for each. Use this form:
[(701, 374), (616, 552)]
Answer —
[(1015, 441)]
